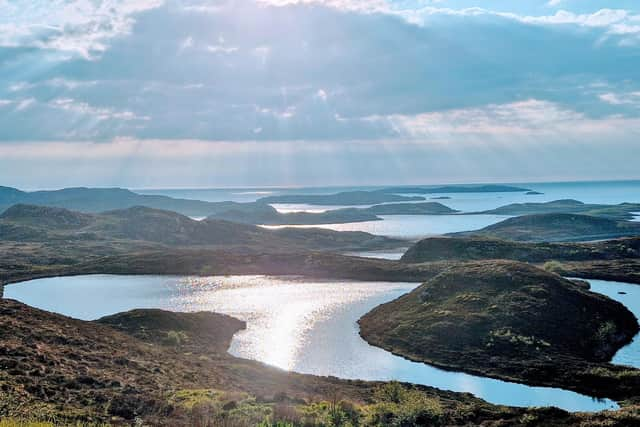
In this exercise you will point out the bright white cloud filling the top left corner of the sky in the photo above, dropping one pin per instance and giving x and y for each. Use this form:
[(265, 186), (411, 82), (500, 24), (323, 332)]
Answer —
[(81, 27)]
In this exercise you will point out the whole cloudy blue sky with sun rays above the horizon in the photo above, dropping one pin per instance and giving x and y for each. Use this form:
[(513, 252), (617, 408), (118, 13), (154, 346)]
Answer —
[(178, 93)]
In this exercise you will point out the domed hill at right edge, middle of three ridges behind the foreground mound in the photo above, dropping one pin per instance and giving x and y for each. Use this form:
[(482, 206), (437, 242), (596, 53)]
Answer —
[(557, 227)]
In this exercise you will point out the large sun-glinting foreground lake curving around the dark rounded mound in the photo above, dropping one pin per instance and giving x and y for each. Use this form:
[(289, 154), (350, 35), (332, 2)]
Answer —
[(295, 324)]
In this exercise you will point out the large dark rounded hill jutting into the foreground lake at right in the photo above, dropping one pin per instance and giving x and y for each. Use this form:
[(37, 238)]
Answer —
[(509, 320)]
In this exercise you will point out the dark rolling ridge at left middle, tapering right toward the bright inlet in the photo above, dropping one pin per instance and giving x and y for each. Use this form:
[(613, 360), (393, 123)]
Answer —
[(43, 224)]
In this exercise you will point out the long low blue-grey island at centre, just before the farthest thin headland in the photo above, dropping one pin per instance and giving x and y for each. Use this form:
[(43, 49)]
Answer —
[(343, 198)]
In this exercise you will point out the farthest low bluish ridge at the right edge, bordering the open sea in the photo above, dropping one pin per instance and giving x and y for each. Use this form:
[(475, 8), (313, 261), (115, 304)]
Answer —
[(623, 211)]
